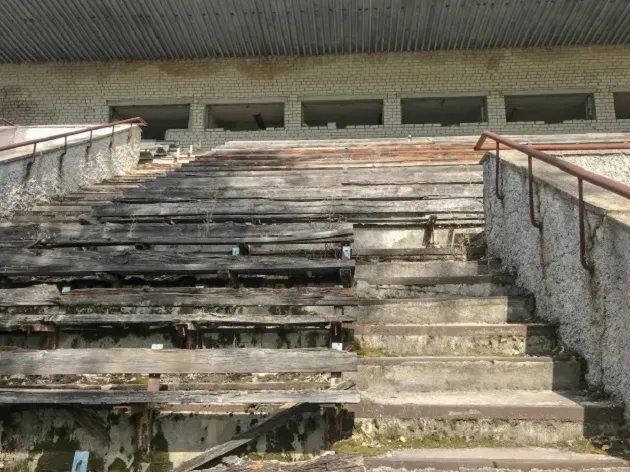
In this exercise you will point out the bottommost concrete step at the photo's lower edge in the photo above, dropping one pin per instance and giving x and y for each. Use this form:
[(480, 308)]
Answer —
[(513, 458)]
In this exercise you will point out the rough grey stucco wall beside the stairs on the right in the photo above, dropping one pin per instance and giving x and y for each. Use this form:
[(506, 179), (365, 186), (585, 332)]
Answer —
[(590, 309)]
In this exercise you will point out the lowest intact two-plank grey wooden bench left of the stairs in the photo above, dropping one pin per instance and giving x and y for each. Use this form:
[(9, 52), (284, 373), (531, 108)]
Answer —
[(170, 361)]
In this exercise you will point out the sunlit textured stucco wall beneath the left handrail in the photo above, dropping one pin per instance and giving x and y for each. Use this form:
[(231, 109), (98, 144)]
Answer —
[(26, 180)]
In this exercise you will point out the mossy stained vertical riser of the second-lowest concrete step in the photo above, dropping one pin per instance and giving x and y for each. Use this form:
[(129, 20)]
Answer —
[(524, 432)]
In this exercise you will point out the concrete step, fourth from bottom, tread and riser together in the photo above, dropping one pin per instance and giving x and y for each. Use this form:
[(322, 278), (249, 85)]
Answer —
[(455, 339)]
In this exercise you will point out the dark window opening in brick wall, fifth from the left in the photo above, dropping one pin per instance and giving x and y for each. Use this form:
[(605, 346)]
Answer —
[(550, 108)]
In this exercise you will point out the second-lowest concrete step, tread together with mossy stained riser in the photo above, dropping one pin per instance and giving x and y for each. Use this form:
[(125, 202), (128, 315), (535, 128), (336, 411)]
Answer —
[(526, 417)]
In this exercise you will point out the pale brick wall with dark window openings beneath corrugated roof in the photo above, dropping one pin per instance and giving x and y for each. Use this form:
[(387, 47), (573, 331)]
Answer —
[(78, 92)]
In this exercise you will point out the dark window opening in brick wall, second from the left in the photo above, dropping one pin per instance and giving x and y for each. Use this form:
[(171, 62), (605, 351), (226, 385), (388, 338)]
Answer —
[(245, 117)]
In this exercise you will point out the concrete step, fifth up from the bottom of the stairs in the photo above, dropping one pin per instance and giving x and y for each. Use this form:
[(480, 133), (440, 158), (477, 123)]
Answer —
[(442, 310)]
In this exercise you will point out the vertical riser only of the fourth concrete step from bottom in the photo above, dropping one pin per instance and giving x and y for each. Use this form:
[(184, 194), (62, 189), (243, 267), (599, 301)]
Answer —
[(458, 345)]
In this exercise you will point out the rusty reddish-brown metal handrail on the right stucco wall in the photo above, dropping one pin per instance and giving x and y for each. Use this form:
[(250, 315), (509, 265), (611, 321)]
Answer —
[(582, 175)]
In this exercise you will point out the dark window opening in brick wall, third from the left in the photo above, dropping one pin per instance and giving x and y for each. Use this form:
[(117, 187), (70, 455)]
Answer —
[(343, 113)]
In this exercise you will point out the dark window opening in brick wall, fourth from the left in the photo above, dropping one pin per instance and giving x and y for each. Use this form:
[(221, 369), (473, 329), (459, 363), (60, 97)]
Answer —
[(446, 111)]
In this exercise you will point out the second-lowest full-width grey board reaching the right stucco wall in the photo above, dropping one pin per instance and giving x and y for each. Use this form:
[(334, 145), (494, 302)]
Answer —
[(350, 192)]
